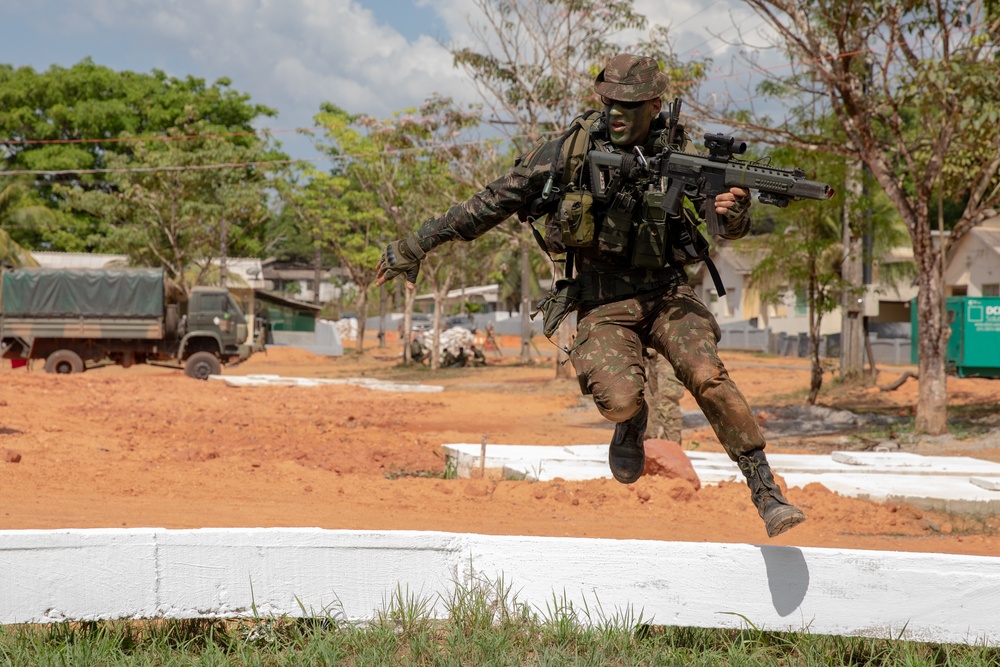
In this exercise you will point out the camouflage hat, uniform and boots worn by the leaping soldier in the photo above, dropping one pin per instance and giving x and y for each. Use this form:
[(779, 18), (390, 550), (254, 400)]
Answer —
[(622, 310)]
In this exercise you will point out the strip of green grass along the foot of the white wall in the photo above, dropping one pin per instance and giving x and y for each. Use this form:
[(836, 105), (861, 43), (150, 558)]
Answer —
[(482, 623)]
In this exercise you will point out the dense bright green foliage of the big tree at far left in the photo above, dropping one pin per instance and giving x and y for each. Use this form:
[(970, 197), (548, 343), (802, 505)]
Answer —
[(91, 117)]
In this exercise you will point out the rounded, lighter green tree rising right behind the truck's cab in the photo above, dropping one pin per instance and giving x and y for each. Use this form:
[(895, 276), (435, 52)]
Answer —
[(161, 207)]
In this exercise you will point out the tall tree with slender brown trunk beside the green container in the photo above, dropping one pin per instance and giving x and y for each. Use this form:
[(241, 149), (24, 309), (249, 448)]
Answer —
[(913, 87)]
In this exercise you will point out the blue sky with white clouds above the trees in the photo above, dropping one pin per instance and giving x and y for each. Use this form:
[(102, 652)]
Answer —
[(374, 57)]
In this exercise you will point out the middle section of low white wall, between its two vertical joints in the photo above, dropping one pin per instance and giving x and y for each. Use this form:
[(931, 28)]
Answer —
[(298, 571)]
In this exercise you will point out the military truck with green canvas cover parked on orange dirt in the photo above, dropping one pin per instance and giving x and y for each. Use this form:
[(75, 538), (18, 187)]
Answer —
[(73, 318)]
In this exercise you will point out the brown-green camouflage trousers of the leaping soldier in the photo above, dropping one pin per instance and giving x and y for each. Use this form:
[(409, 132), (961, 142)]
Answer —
[(607, 355)]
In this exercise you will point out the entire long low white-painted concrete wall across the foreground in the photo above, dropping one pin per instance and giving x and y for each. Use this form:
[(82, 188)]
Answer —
[(157, 573)]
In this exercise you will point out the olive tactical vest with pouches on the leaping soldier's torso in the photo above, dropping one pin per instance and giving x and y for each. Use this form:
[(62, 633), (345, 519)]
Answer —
[(629, 223)]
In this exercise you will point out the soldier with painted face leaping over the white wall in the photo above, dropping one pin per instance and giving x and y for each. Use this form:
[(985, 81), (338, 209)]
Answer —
[(624, 303)]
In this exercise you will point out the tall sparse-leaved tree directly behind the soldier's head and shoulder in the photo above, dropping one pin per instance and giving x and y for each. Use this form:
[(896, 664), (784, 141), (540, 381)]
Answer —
[(535, 65)]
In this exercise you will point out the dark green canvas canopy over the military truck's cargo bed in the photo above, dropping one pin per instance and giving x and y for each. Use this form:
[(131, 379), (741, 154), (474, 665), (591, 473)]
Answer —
[(118, 293)]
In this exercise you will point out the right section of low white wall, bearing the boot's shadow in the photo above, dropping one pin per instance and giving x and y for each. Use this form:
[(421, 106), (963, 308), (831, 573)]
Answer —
[(923, 597)]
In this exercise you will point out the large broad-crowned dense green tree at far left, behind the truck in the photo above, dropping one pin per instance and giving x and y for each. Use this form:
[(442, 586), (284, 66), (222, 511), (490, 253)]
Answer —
[(87, 117)]
